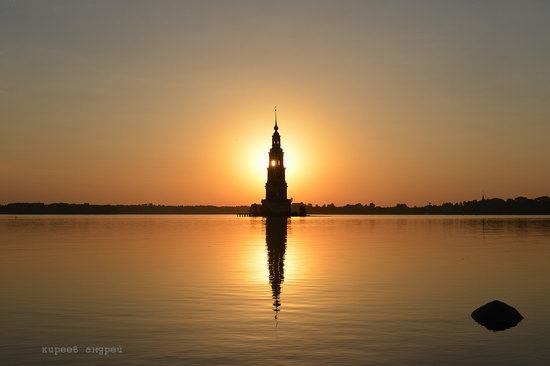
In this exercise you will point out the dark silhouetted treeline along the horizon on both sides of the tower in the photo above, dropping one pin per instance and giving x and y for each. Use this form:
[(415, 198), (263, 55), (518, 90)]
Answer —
[(493, 206)]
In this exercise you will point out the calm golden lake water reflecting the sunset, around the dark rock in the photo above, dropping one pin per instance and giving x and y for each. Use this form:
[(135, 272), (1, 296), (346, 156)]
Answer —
[(209, 290)]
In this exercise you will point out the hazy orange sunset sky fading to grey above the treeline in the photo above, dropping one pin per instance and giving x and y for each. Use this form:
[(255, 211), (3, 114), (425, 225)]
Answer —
[(172, 101)]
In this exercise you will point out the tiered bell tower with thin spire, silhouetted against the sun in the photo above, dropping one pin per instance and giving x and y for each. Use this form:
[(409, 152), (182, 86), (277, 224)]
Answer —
[(276, 202)]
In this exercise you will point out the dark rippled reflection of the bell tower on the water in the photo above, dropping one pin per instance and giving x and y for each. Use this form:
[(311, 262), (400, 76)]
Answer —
[(275, 238)]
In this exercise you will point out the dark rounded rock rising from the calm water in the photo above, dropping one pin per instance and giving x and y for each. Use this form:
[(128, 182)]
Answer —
[(497, 315)]
